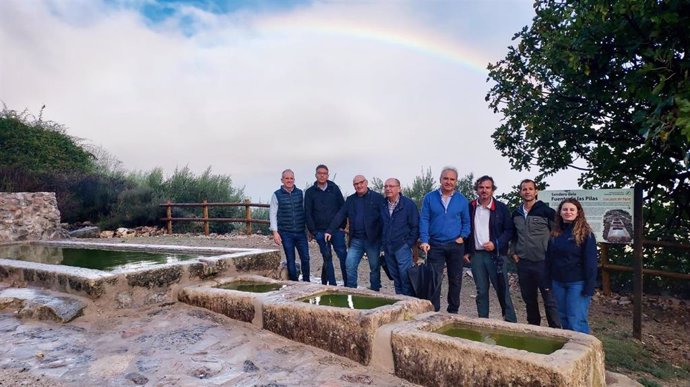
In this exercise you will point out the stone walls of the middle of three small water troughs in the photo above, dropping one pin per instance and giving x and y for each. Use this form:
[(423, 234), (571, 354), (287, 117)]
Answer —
[(346, 332)]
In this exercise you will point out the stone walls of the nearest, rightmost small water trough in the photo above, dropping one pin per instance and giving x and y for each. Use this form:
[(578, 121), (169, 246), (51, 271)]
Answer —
[(425, 356)]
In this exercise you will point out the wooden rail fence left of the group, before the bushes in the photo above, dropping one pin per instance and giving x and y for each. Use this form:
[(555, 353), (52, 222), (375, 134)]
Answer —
[(247, 220)]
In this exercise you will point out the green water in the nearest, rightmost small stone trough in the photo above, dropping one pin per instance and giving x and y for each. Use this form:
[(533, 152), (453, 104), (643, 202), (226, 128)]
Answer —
[(533, 344)]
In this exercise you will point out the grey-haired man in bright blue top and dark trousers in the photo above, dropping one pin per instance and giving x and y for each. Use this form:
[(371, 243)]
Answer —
[(443, 227)]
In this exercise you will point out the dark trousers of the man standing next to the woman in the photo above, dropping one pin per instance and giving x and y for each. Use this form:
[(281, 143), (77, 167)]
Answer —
[(531, 277)]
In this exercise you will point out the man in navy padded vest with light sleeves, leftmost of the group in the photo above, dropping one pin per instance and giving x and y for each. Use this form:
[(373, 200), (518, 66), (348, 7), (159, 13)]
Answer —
[(288, 224)]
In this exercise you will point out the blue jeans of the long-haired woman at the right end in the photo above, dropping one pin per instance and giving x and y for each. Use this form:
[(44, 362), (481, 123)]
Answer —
[(573, 307)]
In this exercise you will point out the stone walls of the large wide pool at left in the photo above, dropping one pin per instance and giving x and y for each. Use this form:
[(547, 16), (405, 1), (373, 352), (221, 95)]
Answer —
[(137, 286)]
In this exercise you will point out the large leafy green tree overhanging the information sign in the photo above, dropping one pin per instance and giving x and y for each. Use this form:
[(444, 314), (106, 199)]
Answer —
[(602, 86)]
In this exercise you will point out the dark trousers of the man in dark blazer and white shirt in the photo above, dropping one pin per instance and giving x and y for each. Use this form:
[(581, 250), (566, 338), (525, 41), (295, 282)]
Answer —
[(484, 271)]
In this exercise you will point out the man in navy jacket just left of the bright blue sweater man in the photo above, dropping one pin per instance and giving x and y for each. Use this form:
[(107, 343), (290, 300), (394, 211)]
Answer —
[(400, 232)]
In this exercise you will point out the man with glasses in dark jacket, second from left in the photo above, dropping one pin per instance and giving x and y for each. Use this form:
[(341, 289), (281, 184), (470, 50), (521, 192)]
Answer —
[(322, 201)]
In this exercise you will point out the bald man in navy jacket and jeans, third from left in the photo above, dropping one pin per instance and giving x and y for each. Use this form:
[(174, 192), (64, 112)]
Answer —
[(363, 210)]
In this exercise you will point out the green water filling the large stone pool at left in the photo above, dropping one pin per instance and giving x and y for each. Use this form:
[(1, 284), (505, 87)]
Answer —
[(98, 259)]
